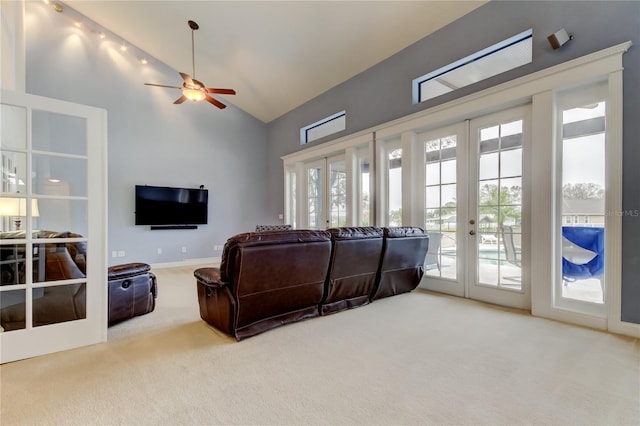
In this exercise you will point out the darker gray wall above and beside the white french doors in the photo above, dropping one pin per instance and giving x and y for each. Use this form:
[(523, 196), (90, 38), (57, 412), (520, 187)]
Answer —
[(383, 92)]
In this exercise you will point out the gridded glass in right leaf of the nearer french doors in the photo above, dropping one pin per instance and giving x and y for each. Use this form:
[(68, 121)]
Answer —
[(500, 205)]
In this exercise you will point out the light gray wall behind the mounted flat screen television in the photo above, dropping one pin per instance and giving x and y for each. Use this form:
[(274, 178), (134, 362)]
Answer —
[(150, 140)]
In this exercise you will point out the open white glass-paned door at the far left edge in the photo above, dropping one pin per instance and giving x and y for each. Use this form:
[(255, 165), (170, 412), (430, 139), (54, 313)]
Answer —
[(53, 267)]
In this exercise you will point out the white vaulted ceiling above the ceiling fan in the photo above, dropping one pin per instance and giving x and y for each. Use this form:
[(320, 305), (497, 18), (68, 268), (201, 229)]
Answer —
[(275, 54)]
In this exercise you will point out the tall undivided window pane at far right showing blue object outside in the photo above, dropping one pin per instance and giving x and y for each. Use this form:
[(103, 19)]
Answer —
[(583, 208)]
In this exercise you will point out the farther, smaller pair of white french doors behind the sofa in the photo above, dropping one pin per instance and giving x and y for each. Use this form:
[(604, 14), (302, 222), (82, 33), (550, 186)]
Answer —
[(326, 193)]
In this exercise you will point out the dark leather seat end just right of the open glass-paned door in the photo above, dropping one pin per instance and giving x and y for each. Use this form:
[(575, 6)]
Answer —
[(132, 291)]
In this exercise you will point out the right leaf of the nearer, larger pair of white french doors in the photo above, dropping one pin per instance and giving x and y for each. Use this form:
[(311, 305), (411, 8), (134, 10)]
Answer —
[(497, 221)]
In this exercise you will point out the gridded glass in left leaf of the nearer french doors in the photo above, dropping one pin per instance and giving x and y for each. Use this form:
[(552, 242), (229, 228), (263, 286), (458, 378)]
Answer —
[(440, 206)]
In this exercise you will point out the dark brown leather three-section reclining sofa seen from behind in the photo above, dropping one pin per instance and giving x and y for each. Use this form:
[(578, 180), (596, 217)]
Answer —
[(269, 279)]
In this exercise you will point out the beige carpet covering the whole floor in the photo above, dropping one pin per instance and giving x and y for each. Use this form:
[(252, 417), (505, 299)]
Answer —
[(419, 358)]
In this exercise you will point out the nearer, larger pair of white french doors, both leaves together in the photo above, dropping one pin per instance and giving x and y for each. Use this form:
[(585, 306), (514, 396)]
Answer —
[(475, 208)]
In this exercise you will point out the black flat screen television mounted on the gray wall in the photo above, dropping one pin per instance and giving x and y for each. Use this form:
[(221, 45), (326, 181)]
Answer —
[(166, 206)]
